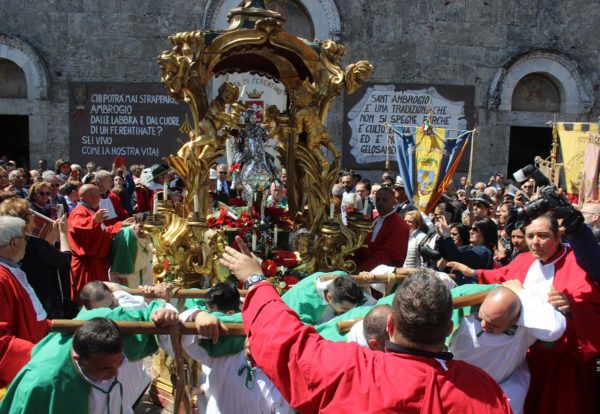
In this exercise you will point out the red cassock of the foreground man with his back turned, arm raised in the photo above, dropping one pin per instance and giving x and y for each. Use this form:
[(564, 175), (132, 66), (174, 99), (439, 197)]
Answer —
[(319, 376)]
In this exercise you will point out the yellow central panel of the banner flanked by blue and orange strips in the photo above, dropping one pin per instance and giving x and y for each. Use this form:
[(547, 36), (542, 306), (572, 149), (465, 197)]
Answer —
[(428, 154)]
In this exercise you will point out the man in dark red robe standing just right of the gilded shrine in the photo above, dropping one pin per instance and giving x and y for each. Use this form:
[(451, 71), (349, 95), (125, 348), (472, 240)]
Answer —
[(388, 242)]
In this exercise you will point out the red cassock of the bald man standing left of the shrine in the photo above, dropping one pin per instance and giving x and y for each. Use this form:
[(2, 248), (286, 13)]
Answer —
[(90, 245)]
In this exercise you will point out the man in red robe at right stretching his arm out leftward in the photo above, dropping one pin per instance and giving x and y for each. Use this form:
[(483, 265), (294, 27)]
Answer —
[(563, 376)]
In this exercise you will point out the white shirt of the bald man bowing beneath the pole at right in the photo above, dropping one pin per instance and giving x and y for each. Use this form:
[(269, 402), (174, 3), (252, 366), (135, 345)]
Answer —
[(501, 355)]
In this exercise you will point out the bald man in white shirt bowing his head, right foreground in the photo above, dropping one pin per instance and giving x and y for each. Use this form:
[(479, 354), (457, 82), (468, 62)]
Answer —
[(496, 339)]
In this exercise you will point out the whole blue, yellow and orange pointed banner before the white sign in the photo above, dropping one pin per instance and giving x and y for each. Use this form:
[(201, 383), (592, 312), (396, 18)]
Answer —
[(427, 162)]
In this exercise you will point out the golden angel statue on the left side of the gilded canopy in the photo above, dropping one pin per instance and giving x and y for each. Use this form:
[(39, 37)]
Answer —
[(212, 136)]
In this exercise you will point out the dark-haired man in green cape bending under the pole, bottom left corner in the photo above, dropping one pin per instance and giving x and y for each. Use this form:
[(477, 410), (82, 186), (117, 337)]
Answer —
[(59, 379)]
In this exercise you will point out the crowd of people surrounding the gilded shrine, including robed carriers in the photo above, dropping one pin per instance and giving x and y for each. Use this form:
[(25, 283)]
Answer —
[(531, 346)]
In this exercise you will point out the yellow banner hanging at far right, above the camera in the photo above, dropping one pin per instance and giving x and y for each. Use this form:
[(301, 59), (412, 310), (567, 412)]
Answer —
[(574, 138)]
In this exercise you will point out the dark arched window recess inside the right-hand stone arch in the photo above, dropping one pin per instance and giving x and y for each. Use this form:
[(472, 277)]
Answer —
[(536, 93)]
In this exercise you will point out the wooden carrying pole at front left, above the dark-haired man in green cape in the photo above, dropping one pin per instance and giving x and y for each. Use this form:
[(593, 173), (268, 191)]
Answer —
[(144, 328)]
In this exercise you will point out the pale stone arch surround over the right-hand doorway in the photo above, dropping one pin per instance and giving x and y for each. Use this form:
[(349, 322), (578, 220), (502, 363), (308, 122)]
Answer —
[(575, 90)]
